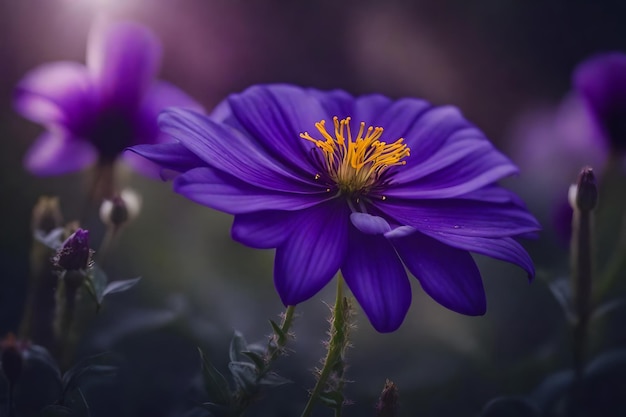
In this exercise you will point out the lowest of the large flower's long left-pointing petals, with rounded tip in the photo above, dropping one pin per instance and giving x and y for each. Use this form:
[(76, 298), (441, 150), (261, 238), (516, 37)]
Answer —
[(225, 192)]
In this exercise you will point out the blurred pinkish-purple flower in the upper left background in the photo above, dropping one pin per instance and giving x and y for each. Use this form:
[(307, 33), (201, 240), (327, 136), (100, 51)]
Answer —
[(93, 112)]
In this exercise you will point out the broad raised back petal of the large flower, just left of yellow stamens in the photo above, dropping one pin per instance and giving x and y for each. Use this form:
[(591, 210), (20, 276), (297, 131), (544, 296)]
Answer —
[(275, 115)]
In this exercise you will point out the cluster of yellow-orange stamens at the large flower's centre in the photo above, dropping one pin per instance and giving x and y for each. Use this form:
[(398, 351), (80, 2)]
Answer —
[(356, 164)]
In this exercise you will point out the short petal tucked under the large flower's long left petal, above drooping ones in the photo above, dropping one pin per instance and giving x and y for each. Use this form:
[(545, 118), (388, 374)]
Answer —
[(264, 229)]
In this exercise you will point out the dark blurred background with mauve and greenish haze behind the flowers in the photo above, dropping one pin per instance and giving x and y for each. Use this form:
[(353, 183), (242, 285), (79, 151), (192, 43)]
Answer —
[(502, 62)]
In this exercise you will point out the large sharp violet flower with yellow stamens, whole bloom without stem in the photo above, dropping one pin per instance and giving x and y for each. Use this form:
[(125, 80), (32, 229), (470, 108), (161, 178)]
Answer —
[(366, 185)]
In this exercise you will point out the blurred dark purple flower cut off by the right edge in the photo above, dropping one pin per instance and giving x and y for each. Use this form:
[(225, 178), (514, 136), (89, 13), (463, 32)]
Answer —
[(601, 82)]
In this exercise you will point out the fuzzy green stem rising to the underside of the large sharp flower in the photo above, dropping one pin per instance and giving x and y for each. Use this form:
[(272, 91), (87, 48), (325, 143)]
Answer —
[(335, 348)]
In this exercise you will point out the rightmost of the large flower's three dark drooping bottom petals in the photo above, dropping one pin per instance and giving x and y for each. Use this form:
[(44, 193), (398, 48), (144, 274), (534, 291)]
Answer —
[(450, 276)]
